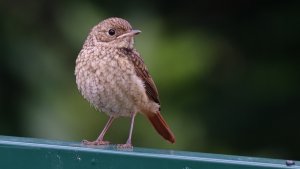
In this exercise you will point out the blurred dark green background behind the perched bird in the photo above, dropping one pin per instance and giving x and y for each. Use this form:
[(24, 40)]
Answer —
[(227, 73)]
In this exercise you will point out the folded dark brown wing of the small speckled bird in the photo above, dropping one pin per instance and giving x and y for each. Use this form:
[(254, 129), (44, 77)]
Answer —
[(142, 72)]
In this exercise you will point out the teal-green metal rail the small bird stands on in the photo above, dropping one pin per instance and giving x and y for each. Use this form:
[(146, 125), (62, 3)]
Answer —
[(28, 153)]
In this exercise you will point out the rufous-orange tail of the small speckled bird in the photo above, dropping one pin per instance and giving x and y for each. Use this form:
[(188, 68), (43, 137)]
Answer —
[(161, 126)]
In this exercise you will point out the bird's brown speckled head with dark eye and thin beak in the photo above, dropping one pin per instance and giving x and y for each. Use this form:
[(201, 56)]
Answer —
[(114, 32)]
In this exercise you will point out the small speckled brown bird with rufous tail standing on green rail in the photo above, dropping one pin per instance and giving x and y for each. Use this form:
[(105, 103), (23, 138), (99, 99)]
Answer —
[(112, 76)]
